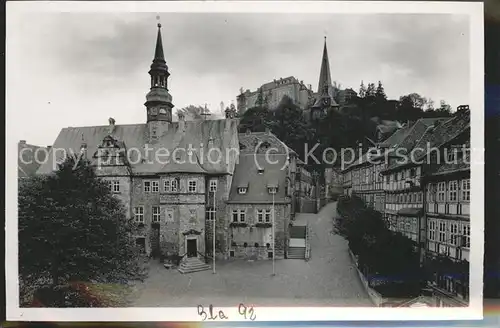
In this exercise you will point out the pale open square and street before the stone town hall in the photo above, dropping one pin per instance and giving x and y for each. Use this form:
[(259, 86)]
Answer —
[(327, 279)]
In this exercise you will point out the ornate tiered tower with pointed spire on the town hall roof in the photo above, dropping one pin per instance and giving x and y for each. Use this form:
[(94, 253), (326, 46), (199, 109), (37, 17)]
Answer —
[(158, 100)]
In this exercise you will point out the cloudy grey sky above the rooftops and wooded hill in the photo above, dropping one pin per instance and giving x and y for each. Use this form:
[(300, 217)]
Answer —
[(78, 69)]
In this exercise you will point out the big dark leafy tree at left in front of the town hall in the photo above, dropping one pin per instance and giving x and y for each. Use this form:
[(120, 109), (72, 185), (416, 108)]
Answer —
[(71, 228)]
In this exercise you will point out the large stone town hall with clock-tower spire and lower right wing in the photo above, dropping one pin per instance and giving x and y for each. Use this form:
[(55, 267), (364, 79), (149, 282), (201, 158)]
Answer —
[(210, 176)]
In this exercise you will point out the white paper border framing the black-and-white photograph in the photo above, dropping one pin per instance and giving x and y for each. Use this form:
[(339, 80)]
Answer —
[(476, 42)]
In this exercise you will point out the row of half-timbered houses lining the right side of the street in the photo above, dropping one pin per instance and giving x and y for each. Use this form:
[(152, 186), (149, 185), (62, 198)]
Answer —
[(419, 178)]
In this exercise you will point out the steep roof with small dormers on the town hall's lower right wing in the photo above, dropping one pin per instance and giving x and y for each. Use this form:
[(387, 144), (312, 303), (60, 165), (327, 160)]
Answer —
[(246, 174)]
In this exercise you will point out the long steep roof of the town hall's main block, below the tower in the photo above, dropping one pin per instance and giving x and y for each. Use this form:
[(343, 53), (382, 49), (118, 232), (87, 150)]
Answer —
[(201, 135)]
